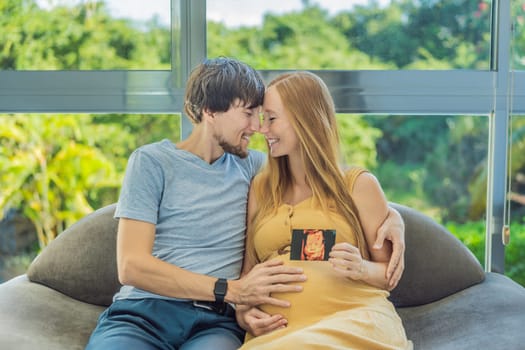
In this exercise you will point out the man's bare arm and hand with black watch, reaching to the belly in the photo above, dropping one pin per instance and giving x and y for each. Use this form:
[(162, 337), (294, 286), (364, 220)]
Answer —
[(139, 268)]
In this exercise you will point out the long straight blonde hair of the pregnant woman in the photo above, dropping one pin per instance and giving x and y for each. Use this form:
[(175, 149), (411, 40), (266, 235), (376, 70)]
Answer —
[(312, 114)]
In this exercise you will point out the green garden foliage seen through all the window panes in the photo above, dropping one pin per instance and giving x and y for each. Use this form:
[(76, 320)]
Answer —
[(56, 168)]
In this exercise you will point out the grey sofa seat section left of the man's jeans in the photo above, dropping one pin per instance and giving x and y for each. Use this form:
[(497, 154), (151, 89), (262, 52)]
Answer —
[(34, 316)]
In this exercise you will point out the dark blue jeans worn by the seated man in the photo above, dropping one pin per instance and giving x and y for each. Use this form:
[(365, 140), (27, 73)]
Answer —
[(145, 324)]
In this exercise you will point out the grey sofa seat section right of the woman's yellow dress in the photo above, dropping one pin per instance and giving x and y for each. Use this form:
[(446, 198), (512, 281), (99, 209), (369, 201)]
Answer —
[(487, 315)]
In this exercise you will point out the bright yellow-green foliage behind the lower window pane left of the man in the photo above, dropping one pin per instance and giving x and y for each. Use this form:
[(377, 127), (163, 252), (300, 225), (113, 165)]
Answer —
[(57, 169)]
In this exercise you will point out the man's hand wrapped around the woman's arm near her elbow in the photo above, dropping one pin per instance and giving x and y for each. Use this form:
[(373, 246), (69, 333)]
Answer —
[(393, 229)]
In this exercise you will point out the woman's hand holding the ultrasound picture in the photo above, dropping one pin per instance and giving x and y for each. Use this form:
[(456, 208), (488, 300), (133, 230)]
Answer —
[(347, 260)]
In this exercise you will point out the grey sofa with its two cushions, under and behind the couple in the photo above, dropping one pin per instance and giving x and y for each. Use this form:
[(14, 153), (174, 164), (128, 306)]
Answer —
[(445, 298)]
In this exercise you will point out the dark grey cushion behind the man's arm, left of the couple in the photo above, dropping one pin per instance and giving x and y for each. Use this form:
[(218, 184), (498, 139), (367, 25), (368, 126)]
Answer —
[(81, 261)]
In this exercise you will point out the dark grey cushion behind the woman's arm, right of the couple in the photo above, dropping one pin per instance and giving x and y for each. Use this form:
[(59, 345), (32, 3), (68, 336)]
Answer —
[(437, 264)]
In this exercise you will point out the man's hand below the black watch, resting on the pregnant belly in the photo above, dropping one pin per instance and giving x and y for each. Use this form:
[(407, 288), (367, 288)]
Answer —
[(272, 276)]
